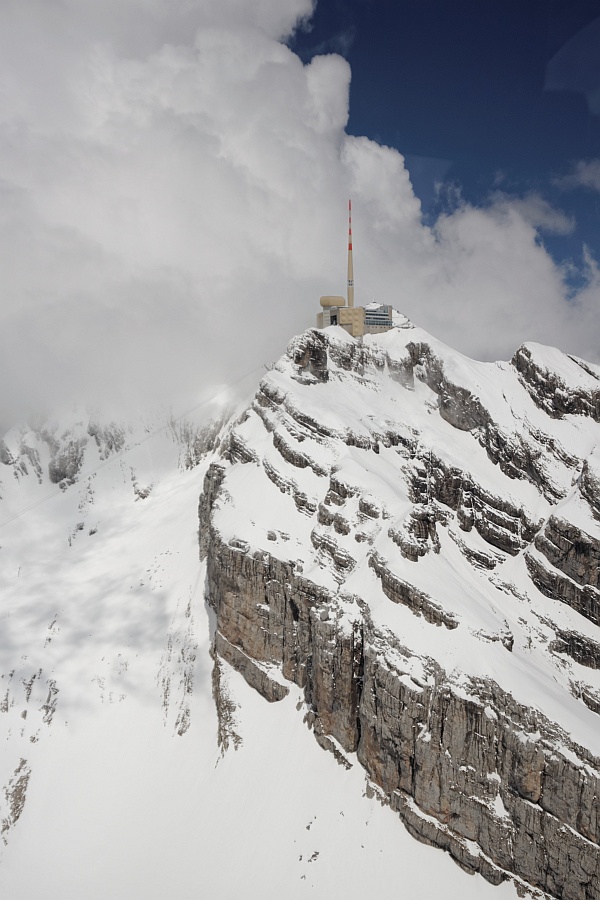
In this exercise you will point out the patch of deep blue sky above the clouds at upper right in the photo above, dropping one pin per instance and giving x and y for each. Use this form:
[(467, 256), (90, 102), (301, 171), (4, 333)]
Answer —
[(480, 96)]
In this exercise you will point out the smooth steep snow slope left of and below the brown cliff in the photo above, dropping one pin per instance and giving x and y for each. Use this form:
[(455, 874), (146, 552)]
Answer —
[(112, 781)]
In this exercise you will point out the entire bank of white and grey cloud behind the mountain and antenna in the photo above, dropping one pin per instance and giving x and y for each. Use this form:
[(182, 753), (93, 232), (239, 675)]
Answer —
[(173, 187)]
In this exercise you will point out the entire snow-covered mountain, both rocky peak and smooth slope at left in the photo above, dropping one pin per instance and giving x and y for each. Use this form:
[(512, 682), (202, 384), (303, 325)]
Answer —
[(398, 548)]
